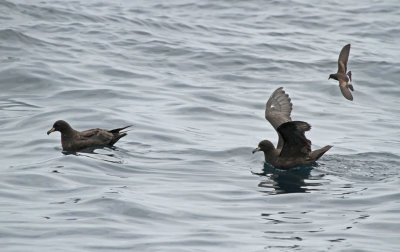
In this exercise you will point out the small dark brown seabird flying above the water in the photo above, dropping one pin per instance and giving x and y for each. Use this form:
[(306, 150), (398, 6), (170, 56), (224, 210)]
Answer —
[(341, 75)]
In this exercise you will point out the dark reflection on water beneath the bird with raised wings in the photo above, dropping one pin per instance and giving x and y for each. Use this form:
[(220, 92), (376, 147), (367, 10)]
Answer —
[(287, 181)]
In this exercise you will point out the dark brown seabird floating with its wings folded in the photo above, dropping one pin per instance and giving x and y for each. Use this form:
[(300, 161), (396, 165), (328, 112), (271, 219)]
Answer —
[(73, 140)]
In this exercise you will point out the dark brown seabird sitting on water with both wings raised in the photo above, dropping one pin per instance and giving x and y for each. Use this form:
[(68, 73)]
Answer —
[(293, 149)]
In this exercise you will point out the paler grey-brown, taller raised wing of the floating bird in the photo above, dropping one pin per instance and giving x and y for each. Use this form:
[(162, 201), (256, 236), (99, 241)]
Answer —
[(278, 109)]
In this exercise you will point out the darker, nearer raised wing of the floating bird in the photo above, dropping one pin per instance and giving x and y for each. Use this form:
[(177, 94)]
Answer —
[(295, 142)]
